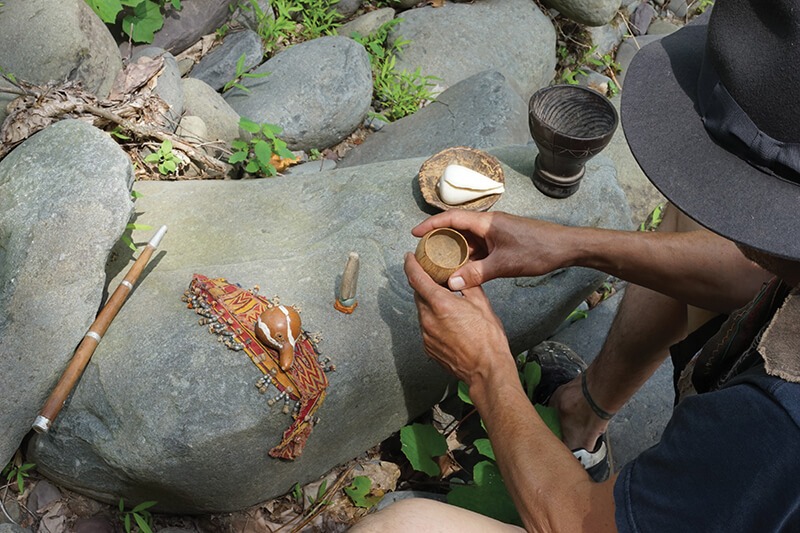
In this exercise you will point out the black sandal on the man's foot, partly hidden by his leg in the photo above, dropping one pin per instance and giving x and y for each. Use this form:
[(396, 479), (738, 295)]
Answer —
[(560, 365)]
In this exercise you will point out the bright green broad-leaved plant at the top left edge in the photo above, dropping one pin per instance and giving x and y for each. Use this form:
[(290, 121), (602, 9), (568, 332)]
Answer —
[(140, 18)]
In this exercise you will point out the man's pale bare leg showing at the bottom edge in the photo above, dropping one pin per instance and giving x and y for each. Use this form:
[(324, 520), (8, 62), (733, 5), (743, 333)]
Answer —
[(430, 516)]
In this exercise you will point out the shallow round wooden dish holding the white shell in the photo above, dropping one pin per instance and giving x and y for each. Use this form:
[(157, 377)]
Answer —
[(432, 169)]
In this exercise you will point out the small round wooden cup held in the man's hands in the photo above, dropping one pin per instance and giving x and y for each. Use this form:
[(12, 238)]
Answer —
[(441, 252)]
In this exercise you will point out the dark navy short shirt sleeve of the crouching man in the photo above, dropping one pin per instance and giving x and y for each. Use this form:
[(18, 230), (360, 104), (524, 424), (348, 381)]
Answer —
[(728, 461)]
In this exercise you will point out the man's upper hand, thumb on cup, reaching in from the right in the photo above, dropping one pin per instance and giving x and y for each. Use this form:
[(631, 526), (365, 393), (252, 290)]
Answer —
[(503, 245)]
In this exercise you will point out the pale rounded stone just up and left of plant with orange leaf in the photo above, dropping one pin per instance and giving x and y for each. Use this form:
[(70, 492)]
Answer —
[(201, 100)]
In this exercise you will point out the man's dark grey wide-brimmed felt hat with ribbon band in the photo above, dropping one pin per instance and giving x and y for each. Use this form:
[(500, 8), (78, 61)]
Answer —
[(661, 116)]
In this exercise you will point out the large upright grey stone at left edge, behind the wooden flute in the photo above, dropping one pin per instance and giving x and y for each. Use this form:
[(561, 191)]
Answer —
[(59, 218)]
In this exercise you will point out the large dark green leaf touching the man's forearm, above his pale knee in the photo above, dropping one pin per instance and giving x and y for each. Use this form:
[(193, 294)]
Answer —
[(487, 496)]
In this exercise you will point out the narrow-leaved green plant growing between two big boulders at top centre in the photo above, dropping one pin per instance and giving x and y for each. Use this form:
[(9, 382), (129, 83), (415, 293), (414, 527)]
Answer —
[(396, 94)]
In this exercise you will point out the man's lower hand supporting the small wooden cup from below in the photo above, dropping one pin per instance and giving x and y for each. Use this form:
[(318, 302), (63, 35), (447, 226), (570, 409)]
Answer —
[(461, 332)]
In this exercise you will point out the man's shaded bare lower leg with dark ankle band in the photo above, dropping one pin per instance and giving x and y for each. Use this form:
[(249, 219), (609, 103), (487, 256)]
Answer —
[(646, 325)]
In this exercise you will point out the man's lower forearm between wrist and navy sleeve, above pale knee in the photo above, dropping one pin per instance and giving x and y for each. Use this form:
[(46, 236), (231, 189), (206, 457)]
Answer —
[(550, 488)]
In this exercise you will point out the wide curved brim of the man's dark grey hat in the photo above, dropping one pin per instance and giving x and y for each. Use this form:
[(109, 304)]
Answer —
[(667, 137)]
